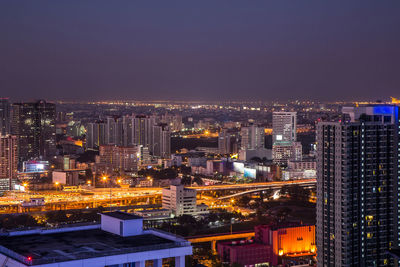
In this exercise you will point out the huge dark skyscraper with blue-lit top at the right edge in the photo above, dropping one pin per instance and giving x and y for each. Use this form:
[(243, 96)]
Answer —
[(358, 186)]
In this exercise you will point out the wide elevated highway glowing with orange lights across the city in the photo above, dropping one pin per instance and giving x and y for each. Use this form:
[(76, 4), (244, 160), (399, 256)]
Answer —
[(12, 202)]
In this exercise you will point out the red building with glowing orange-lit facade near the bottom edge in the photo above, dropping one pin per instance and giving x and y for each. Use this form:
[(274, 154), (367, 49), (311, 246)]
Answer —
[(270, 245)]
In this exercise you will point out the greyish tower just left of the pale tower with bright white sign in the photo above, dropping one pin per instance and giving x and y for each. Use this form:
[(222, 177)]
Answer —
[(252, 137)]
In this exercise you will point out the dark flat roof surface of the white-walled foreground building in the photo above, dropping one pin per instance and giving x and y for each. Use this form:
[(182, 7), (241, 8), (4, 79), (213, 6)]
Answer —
[(38, 249)]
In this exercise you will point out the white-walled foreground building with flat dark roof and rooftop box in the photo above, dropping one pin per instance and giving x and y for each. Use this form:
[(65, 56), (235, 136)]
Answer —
[(118, 241)]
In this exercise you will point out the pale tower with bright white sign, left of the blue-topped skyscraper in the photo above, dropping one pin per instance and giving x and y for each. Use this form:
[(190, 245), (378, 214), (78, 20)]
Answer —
[(284, 126)]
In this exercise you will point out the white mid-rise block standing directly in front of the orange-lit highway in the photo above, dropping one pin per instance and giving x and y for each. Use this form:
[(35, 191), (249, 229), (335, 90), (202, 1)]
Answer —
[(181, 200)]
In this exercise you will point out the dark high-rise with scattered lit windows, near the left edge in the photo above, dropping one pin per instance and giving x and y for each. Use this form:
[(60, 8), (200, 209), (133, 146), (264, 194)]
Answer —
[(34, 125)]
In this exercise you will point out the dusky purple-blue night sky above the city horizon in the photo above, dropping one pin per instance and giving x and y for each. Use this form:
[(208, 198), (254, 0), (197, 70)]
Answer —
[(200, 50)]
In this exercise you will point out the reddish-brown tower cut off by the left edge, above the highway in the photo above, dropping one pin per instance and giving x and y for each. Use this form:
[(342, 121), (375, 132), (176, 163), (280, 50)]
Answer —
[(8, 157)]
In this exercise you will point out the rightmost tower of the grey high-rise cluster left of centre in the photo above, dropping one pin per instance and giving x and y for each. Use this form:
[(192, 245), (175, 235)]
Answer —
[(161, 141)]
